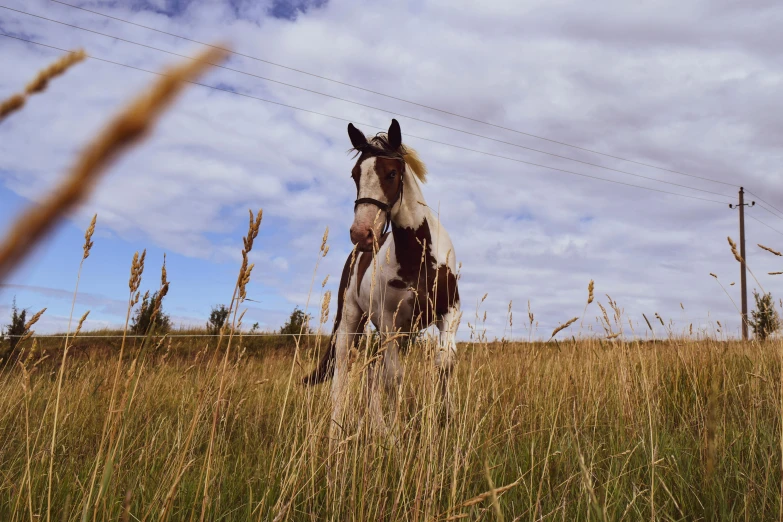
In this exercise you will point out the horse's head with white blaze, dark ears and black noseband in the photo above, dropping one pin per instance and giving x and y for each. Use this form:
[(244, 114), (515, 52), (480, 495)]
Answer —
[(378, 175)]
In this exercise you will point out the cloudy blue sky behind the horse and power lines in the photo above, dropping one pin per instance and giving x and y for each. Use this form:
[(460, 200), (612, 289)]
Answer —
[(689, 87)]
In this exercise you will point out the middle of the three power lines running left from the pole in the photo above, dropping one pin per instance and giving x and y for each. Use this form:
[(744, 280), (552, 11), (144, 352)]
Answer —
[(391, 112)]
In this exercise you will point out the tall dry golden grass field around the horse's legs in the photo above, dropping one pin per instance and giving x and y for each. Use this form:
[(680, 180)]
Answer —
[(585, 429)]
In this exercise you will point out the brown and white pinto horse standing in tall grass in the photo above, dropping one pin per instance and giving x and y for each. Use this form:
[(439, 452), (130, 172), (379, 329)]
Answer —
[(413, 282)]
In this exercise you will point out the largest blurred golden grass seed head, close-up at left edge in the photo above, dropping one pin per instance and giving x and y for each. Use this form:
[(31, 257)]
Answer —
[(129, 127)]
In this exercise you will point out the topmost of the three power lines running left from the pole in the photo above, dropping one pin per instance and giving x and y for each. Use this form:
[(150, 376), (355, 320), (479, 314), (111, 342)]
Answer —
[(443, 111)]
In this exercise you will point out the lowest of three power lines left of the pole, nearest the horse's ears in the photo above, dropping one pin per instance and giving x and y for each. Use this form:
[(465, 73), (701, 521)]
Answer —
[(376, 127)]
